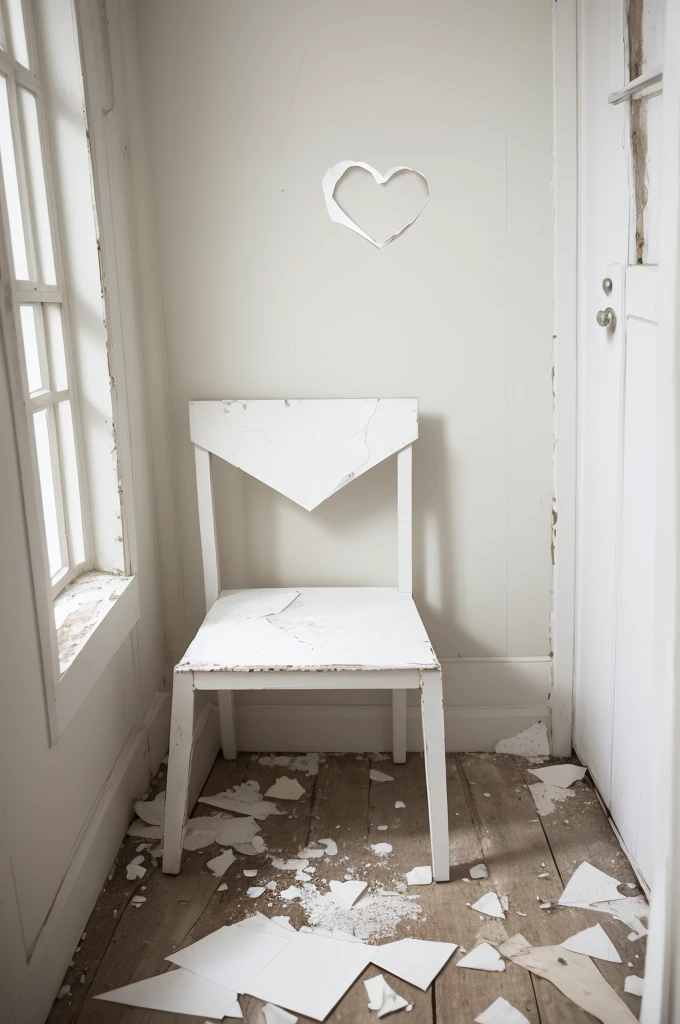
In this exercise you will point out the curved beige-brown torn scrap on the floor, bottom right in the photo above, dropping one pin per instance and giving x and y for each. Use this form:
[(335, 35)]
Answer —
[(579, 979)]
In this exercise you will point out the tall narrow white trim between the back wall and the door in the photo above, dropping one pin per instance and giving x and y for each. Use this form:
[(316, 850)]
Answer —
[(565, 333)]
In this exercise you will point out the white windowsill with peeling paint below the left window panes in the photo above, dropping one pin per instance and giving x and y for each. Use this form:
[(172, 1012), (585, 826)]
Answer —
[(94, 616)]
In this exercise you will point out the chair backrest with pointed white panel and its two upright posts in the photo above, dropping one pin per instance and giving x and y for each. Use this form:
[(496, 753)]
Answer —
[(307, 449)]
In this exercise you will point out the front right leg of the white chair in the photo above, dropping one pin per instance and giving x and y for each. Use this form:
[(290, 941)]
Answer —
[(436, 772)]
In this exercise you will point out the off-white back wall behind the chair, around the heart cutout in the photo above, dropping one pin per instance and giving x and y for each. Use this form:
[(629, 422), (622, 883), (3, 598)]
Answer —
[(263, 296)]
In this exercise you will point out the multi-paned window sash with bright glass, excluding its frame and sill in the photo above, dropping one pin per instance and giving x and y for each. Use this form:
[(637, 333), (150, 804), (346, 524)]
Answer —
[(34, 239)]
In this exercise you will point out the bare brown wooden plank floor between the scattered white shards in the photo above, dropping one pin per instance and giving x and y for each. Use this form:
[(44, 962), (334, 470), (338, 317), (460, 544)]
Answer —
[(493, 820)]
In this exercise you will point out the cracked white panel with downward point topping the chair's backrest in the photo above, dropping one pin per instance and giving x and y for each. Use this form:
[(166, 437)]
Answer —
[(305, 449)]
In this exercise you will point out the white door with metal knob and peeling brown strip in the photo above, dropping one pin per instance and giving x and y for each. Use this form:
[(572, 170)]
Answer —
[(620, 147)]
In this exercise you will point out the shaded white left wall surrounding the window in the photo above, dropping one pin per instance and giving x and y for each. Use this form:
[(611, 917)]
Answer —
[(66, 808)]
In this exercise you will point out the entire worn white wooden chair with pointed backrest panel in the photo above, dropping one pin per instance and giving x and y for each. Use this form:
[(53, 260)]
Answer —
[(310, 638)]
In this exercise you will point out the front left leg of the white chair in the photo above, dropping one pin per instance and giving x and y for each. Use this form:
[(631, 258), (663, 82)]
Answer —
[(180, 764)]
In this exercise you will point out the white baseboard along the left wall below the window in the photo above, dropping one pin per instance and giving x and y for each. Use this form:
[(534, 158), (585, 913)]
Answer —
[(98, 849)]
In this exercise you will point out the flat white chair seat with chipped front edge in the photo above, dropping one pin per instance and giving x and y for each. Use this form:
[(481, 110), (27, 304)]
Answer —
[(311, 629)]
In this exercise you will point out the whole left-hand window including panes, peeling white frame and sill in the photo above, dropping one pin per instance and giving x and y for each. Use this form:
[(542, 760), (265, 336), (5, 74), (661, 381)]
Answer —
[(66, 368)]
